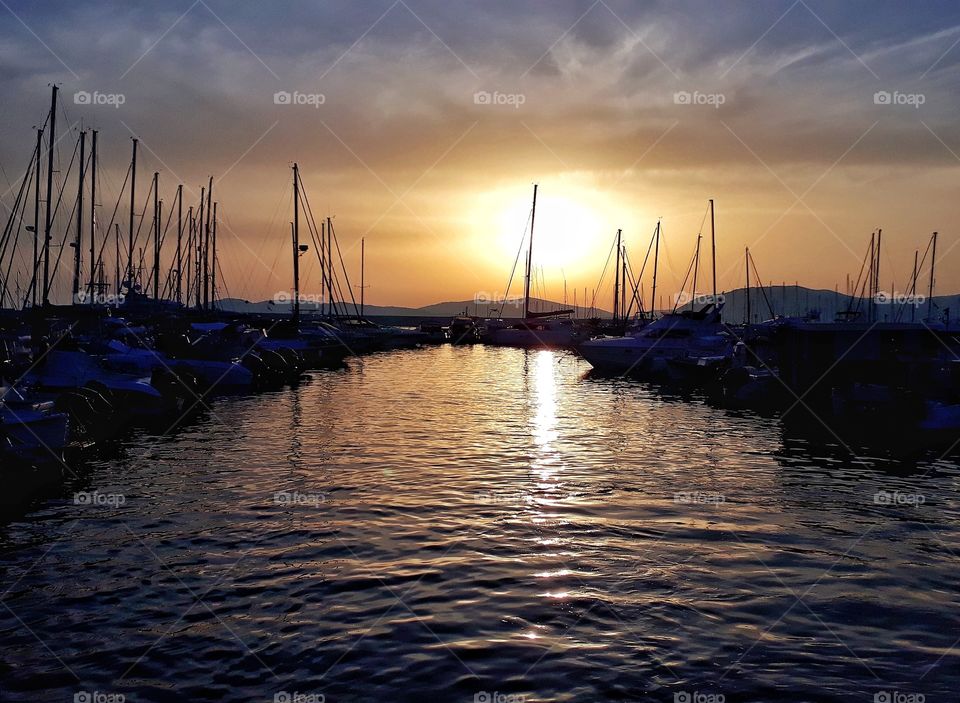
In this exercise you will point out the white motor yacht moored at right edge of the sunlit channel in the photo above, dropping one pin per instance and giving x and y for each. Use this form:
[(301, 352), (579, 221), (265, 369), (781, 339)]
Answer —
[(680, 336)]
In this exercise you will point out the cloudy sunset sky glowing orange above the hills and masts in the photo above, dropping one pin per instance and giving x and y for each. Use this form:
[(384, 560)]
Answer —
[(623, 112)]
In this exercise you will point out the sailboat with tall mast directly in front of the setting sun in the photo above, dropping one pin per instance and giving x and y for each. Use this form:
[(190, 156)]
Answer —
[(536, 329)]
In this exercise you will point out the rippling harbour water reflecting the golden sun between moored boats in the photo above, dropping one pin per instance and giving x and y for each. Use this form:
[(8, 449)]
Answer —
[(489, 525)]
